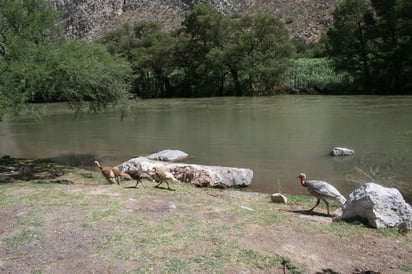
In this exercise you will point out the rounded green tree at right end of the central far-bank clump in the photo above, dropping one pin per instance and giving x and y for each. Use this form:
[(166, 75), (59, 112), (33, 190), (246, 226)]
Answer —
[(257, 54)]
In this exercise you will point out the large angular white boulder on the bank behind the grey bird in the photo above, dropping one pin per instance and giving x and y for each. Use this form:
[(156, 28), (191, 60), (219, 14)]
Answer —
[(381, 206)]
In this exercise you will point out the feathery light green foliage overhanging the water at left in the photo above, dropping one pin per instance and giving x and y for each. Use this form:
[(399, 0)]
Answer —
[(38, 65)]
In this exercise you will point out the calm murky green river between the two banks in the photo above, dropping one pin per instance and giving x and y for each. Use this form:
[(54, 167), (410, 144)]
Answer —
[(277, 137)]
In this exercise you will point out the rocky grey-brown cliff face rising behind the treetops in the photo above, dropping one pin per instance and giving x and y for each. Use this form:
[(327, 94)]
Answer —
[(91, 18)]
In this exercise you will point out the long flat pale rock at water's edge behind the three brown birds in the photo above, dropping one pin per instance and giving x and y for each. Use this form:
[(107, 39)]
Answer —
[(199, 175)]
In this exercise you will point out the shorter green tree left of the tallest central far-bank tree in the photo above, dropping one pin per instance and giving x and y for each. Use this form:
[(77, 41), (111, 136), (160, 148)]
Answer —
[(150, 52)]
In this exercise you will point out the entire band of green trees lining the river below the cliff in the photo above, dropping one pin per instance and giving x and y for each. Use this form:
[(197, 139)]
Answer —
[(367, 49)]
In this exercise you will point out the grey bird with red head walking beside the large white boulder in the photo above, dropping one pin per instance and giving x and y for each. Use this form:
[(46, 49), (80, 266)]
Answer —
[(321, 190)]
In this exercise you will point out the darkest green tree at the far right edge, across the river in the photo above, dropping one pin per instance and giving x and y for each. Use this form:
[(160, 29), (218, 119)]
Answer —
[(392, 35)]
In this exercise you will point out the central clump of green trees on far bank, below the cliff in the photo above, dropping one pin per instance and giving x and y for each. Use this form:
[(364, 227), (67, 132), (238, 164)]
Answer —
[(211, 55)]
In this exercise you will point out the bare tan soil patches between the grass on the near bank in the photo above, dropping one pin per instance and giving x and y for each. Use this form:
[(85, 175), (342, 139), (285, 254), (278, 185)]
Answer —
[(71, 246)]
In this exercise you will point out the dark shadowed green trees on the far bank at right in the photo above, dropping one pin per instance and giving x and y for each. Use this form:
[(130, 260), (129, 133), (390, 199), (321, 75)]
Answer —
[(372, 42)]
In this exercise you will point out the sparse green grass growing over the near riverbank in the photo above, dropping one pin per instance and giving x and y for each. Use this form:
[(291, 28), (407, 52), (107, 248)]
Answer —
[(189, 230)]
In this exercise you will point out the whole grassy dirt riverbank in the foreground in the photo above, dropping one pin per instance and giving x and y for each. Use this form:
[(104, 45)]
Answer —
[(77, 222)]
